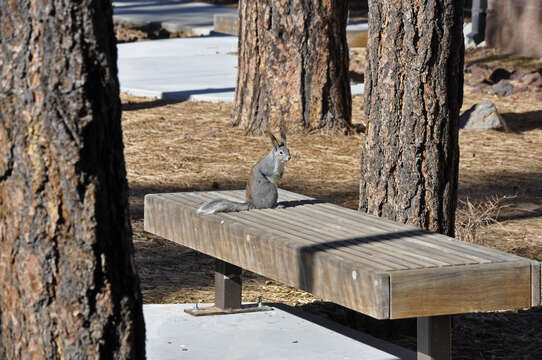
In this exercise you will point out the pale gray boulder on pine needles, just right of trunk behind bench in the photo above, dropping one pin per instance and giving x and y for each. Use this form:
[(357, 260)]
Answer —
[(483, 116)]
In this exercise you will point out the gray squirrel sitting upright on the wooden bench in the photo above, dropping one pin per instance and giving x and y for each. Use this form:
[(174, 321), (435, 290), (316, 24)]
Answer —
[(261, 190)]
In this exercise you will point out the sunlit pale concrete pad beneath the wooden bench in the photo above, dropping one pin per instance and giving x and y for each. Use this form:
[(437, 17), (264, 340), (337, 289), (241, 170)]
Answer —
[(283, 333)]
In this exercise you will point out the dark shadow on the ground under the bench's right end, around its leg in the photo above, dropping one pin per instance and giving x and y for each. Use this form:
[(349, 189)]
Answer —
[(499, 335)]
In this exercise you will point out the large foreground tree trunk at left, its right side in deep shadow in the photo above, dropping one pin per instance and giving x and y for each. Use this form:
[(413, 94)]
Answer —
[(68, 285)]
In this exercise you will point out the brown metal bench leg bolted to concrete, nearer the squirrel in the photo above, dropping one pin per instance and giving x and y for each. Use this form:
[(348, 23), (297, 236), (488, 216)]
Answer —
[(227, 285)]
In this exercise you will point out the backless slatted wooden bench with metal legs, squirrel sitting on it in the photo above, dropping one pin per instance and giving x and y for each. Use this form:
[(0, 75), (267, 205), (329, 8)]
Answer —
[(369, 264)]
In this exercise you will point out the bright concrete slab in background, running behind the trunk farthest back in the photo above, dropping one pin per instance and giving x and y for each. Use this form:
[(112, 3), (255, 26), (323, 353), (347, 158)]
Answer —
[(202, 68)]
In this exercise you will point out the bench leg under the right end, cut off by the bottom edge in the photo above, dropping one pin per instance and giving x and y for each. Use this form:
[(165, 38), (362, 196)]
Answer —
[(435, 338)]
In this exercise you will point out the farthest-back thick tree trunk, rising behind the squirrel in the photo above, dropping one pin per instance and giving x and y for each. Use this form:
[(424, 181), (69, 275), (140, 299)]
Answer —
[(293, 66)]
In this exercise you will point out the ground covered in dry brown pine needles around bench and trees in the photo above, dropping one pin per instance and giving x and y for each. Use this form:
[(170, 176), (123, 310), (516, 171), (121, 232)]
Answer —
[(190, 146)]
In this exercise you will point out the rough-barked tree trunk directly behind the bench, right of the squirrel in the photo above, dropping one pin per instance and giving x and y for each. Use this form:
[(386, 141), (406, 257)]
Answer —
[(414, 89)]
